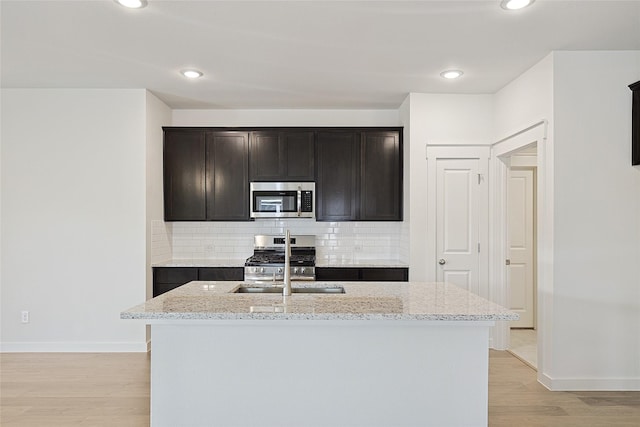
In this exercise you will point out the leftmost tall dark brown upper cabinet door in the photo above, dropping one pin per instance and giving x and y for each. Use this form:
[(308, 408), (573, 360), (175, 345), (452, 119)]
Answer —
[(184, 176)]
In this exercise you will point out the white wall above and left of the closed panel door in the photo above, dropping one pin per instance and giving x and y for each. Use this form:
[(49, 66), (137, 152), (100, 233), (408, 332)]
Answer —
[(437, 119)]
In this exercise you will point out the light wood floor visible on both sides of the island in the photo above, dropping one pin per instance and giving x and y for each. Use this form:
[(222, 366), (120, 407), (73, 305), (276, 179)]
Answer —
[(112, 389)]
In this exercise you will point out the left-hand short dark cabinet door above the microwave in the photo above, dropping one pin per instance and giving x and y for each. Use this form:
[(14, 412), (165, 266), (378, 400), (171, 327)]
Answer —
[(265, 153)]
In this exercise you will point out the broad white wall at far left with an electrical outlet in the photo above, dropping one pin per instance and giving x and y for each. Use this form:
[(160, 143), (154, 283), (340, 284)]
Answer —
[(73, 218)]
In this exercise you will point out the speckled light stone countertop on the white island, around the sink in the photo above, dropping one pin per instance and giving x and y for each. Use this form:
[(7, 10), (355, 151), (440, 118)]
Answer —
[(361, 301)]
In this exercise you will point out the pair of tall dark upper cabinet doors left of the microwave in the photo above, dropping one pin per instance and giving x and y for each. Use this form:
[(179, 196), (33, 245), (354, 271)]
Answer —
[(206, 175)]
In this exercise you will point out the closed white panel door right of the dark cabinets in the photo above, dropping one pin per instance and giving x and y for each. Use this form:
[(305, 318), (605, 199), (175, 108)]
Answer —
[(457, 222)]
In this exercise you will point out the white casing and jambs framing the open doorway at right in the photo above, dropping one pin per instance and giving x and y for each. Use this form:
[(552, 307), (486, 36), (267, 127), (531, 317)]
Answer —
[(501, 158)]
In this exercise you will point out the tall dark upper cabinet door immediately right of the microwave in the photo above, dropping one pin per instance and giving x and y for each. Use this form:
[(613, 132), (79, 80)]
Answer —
[(337, 176)]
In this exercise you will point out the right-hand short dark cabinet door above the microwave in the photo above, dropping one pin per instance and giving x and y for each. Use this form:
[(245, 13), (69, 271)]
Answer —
[(300, 154)]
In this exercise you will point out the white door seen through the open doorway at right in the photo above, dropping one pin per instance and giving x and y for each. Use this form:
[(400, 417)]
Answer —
[(521, 221)]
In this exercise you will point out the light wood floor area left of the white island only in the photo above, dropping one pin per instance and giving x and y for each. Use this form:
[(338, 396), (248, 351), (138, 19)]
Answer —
[(74, 389)]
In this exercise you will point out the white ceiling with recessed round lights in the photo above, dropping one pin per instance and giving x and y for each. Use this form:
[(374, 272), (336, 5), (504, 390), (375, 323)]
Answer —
[(297, 54)]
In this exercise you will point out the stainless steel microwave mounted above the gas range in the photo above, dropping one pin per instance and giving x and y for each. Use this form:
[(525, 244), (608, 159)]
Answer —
[(282, 199)]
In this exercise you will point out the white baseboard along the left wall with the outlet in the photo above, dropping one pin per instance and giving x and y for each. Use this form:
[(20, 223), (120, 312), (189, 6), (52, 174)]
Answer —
[(74, 347)]
